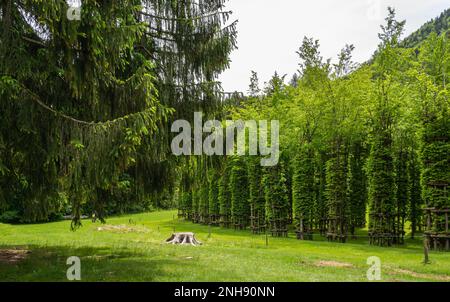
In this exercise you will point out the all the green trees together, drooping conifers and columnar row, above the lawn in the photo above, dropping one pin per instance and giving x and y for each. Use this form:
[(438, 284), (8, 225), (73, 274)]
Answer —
[(86, 109)]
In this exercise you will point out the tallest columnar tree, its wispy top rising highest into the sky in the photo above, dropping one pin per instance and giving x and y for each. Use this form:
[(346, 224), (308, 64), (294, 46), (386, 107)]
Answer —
[(380, 165)]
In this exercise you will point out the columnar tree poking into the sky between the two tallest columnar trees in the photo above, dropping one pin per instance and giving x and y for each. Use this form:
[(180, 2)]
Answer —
[(341, 120)]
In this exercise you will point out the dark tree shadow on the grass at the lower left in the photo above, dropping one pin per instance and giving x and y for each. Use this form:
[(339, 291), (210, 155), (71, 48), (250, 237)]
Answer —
[(48, 263)]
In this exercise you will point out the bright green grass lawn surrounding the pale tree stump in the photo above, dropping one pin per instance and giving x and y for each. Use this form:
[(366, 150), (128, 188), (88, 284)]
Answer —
[(137, 253)]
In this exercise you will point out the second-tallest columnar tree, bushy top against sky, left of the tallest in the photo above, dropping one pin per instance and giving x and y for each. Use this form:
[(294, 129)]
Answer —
[(313, 73)]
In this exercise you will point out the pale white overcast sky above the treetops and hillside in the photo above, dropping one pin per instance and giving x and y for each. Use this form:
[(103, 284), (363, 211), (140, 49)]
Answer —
[(271, 31)]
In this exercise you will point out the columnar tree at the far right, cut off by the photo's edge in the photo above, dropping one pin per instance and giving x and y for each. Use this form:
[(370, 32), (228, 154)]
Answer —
[(433, 76)]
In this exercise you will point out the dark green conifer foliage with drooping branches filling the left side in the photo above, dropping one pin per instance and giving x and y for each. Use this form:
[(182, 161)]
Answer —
[(85, 104)]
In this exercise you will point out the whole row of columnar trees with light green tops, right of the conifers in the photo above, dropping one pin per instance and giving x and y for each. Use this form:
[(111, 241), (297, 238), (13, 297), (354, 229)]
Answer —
[(360, 145)]
